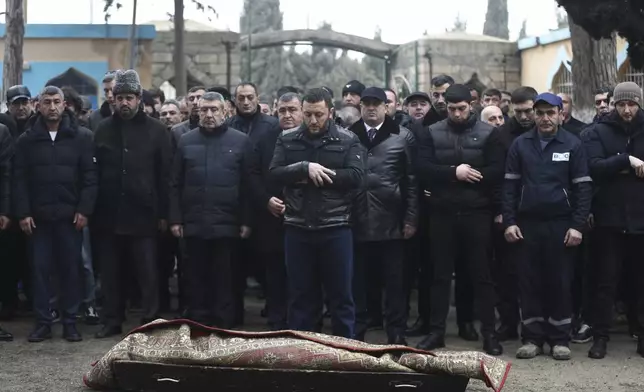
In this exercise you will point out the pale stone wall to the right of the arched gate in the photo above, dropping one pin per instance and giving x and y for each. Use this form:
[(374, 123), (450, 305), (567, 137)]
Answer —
[(461, 58)]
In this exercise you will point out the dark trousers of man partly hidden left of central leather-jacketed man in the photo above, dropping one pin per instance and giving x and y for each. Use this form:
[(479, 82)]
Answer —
[(276, 289)]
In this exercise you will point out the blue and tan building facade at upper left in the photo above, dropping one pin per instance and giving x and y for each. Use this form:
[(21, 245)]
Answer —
[(80, 55)]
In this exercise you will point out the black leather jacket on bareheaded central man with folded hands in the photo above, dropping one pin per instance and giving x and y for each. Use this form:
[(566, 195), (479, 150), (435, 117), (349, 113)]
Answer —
[(308, 206)]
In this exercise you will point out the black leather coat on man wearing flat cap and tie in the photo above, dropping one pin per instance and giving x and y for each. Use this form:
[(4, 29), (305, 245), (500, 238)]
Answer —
[(388, 198)]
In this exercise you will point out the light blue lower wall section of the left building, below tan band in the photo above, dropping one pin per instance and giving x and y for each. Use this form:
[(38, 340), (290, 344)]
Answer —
[(41, 72)]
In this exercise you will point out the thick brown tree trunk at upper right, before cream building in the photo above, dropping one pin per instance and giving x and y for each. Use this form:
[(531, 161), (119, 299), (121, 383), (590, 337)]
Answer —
[(594, 65)]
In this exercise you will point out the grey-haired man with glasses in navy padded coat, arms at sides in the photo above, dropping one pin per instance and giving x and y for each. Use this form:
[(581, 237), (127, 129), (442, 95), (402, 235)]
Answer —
[(209, 209)]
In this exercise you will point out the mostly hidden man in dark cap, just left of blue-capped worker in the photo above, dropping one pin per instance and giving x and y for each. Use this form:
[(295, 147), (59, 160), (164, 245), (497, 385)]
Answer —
[(504, 267)]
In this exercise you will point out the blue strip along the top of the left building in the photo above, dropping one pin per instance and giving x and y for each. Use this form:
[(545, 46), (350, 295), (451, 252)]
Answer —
[(85, 31)]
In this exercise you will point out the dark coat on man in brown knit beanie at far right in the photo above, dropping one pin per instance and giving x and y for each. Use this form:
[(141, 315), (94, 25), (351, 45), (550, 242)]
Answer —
[(619, 195)]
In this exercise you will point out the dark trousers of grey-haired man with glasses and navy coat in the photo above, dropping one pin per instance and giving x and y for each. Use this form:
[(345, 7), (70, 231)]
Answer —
[(210, 292)]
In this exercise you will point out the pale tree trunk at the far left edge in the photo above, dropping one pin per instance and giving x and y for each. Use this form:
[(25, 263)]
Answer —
[(14, 36)]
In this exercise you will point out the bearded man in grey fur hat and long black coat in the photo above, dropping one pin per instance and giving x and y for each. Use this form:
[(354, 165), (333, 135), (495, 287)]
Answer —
[(133, 153)]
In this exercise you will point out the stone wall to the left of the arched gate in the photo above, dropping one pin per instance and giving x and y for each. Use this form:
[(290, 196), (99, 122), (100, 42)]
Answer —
[(206, 58)]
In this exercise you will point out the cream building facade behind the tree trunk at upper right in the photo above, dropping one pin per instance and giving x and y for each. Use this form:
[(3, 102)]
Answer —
[(546, 62)]
